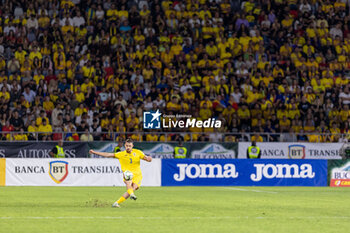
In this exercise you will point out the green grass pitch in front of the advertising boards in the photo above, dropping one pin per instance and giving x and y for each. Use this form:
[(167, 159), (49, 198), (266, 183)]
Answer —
[(175, 209)]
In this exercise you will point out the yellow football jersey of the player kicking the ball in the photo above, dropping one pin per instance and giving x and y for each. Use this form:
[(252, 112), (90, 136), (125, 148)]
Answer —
[(130, 161)]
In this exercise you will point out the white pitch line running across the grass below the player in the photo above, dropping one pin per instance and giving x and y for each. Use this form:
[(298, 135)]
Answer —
[(170, 217)]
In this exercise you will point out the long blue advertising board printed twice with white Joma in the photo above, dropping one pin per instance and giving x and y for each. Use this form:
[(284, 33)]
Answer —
[(229, 172)]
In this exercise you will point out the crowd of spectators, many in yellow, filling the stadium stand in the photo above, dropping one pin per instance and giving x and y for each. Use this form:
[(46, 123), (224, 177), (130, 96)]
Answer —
[(267, 66)]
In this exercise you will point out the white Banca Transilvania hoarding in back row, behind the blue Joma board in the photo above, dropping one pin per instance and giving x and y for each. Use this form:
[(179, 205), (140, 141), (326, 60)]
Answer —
[(281, 150)]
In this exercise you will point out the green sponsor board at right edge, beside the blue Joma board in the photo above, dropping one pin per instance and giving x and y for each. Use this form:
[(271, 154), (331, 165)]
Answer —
[(338, 169)]
